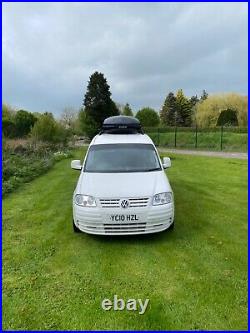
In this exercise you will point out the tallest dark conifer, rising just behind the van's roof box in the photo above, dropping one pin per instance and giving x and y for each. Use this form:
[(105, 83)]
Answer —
[(97, 101)]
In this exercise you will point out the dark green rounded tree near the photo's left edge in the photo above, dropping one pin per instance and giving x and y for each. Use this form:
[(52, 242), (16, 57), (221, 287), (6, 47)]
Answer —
[(24, 122)]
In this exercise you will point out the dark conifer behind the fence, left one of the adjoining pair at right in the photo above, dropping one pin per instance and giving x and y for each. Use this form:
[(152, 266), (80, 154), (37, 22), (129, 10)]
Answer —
[(168, 112)]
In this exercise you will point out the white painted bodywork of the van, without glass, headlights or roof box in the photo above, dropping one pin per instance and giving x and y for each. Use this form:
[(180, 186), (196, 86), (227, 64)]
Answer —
[(108, 186)]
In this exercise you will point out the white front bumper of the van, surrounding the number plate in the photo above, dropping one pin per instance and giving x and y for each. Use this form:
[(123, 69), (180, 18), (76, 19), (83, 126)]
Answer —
[(92, 220)]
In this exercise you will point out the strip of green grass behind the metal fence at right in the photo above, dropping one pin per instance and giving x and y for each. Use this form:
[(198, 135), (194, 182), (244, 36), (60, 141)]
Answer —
[(231, 141)]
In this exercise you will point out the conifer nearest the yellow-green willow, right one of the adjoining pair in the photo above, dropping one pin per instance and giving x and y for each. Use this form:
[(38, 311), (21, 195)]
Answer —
[(184, 109)]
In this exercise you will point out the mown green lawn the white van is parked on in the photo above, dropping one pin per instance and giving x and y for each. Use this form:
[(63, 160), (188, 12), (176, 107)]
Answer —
[(195, 276)]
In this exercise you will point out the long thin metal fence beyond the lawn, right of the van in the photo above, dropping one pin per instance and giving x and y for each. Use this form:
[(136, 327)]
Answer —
[(218, 138)]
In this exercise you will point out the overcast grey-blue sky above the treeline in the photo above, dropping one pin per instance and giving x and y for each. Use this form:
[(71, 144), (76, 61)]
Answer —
[(145, 50)]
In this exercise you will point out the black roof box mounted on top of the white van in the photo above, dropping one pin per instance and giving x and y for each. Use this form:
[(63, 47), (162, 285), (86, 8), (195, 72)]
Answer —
[(121, 125)]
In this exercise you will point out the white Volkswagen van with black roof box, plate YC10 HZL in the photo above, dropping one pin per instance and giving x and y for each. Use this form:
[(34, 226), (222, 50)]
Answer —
[(122, 188)]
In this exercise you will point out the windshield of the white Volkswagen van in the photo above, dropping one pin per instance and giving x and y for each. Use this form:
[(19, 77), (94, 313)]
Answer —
[(122, 158)]
